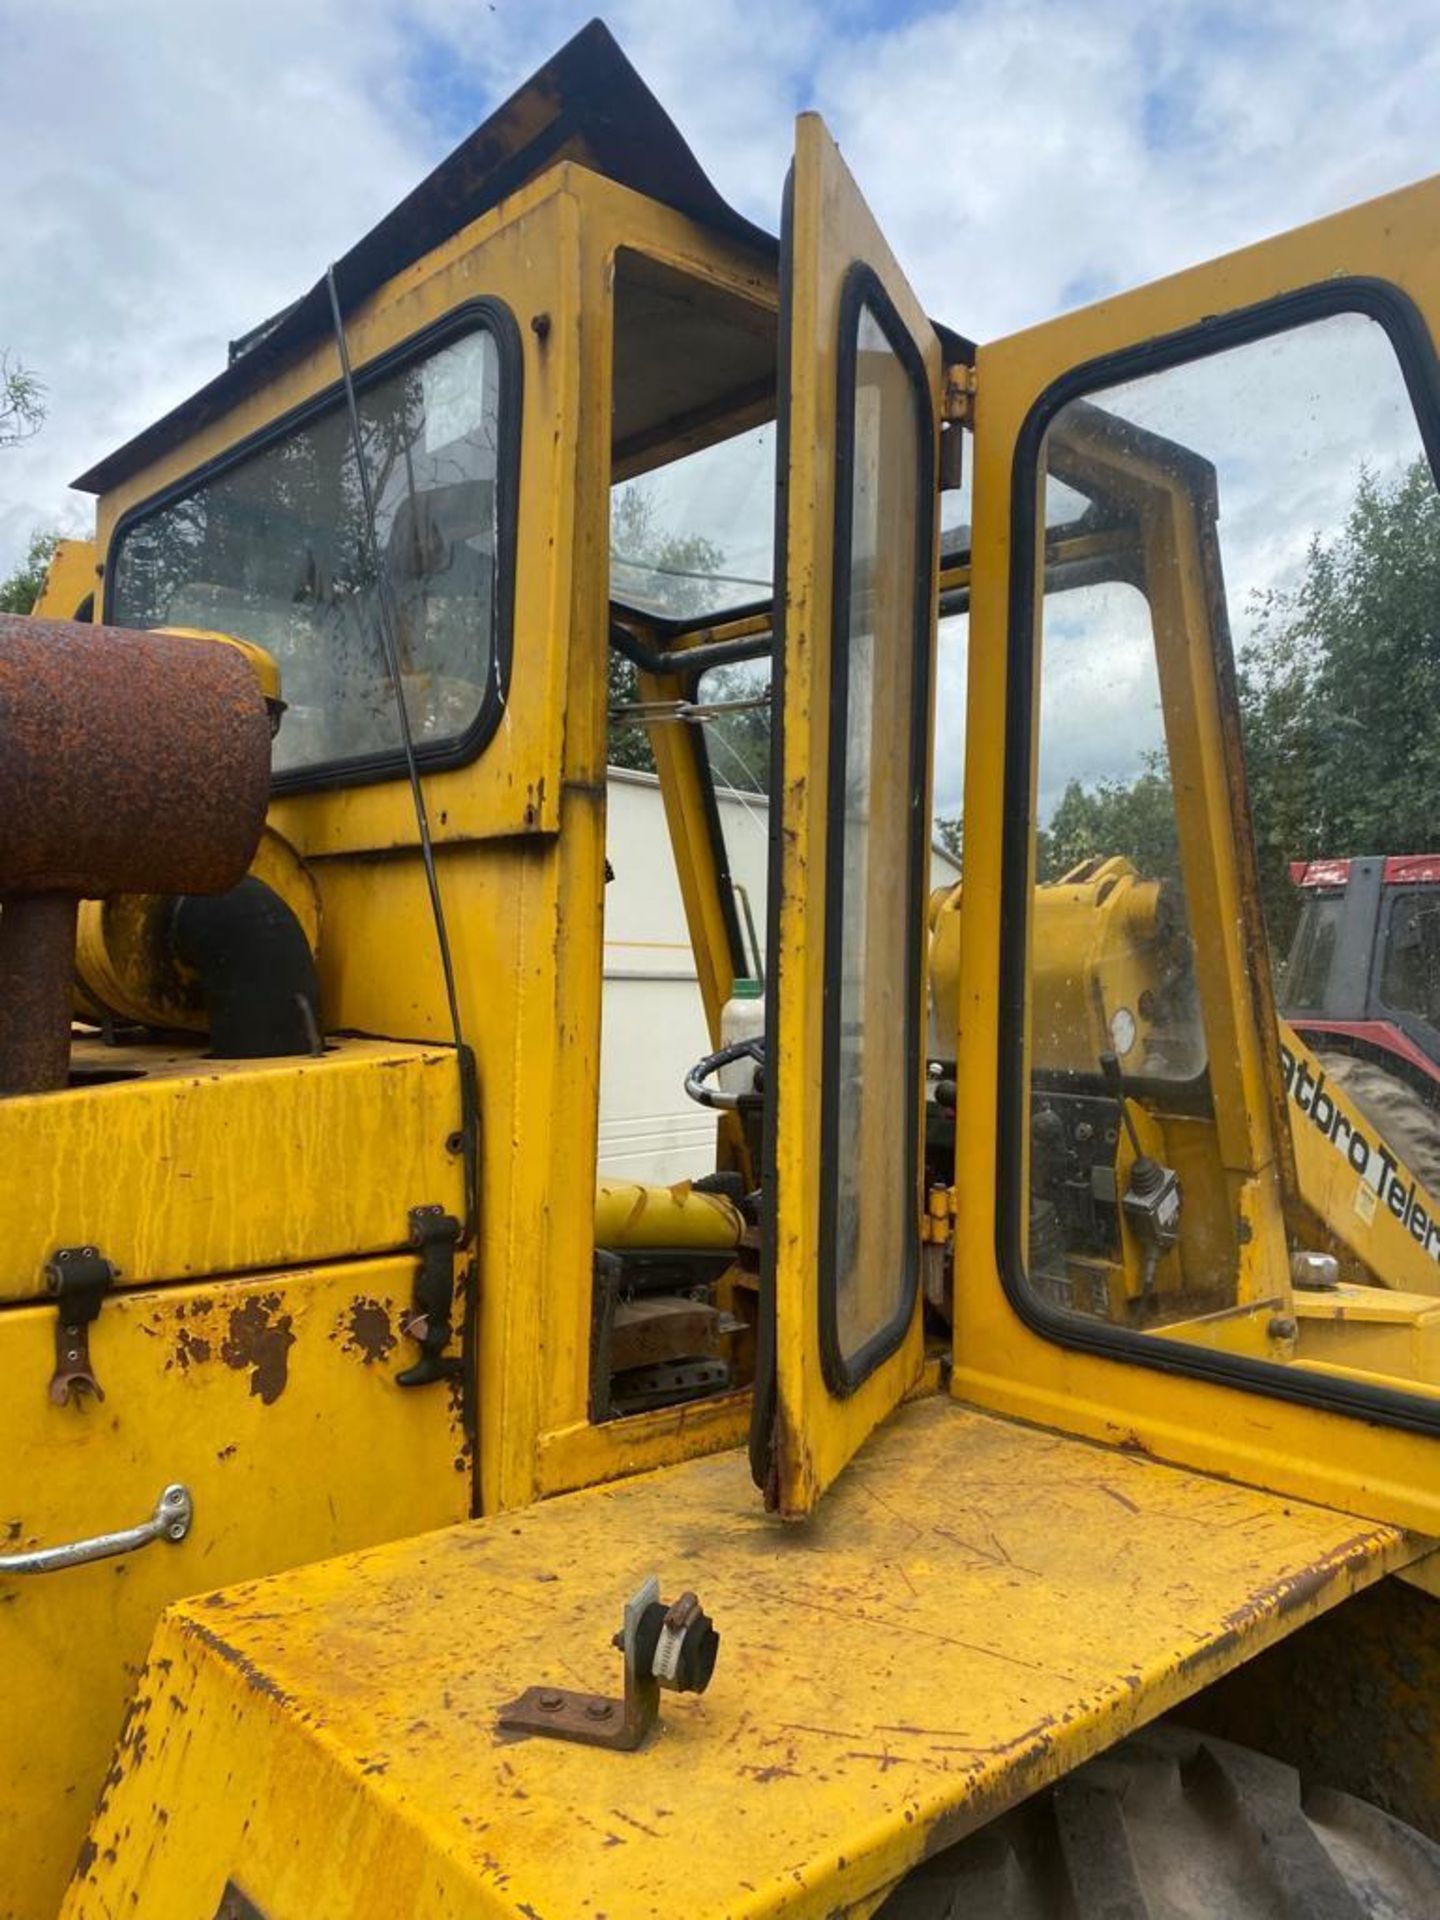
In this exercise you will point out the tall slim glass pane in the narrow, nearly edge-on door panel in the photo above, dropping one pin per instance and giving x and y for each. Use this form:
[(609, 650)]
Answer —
[(876, 869)]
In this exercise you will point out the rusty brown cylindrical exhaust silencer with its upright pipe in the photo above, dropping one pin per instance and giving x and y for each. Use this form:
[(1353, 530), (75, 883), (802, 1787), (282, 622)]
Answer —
[(130, 763)]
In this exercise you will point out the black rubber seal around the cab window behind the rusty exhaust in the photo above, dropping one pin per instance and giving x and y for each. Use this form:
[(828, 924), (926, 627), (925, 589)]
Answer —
[(485, 314)]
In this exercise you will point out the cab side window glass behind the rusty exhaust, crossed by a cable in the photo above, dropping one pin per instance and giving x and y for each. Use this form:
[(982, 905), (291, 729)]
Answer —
[(274, 548)]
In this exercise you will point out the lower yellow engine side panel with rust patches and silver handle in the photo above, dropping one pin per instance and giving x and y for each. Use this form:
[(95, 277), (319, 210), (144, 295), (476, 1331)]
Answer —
[(274, 1401)]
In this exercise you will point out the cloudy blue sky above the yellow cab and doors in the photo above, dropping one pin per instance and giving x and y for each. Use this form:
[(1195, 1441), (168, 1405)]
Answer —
[(176, 172)]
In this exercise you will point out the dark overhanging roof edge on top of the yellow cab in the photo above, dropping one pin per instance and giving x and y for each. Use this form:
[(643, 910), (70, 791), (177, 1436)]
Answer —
[(588, 105)]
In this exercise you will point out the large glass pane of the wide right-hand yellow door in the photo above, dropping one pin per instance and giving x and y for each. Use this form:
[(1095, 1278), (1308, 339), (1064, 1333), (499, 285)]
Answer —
[(1262, 519)]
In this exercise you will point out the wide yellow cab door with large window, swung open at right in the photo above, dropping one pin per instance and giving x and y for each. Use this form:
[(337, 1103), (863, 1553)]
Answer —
[(1203, 606)]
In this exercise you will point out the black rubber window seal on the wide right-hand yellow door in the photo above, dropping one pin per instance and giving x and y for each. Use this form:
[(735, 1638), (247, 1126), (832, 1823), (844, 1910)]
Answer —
[(1420, 370)]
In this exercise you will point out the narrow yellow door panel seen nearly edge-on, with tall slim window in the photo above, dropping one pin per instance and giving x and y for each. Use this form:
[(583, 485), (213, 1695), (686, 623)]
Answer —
[(859, 395)]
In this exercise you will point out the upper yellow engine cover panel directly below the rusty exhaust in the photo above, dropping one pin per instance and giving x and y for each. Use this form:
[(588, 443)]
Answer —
[(204, 1166)]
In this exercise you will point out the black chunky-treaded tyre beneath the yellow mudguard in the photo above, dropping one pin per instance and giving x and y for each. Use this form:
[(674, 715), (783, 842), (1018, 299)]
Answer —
[(1176, 1825)]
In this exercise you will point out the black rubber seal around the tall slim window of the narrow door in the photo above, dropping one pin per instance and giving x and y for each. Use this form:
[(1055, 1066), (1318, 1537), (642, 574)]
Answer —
[(861, 291)]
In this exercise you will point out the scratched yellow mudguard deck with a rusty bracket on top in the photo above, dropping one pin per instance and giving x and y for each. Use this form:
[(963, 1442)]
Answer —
[(974, 1610)]
